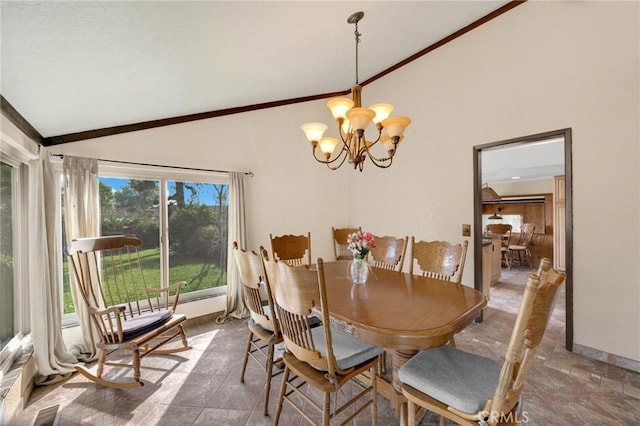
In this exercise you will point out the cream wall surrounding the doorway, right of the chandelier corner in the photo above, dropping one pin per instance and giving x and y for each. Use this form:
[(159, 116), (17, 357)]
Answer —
[(542, 66)]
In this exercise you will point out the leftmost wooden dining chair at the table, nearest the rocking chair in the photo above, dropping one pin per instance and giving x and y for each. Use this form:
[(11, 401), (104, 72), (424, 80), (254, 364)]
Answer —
[(264, 330)]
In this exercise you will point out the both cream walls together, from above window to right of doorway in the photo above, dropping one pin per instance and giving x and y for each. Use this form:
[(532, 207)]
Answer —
[(542, 66)]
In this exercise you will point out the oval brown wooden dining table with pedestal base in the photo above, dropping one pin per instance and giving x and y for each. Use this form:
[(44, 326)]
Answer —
[(400, 312)]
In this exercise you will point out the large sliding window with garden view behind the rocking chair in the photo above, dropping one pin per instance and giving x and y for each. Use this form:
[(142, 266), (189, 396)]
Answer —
[(182, 224)]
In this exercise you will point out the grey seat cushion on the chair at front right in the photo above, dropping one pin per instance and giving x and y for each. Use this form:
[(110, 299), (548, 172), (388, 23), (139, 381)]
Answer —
[(456, 378)]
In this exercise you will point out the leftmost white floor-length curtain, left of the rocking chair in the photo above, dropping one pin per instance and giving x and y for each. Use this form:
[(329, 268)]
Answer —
[(53, 360)]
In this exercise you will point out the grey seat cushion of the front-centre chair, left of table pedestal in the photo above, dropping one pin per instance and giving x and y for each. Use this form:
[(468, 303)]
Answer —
[(348, 349)]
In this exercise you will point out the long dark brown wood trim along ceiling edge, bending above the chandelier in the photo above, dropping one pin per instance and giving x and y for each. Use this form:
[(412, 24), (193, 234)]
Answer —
[(108, 131)]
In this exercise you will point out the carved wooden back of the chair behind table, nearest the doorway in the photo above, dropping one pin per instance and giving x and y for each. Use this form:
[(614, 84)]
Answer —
[(439, 259)]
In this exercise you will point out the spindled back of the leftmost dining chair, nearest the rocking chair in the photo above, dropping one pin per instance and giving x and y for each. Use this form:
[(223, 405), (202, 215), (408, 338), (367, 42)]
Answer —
[(257, 293)]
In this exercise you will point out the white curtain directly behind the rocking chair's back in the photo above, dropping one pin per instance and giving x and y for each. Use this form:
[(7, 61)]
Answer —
[(81, 219)]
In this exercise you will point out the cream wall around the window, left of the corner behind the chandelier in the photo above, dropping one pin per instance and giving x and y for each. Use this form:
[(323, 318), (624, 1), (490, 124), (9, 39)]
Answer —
[(290, 193)]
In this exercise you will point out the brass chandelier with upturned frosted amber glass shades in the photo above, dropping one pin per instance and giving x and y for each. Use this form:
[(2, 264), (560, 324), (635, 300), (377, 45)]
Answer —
[(352, 122)]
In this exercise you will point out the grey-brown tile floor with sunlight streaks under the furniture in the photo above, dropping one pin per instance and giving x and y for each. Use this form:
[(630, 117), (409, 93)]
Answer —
[(201, 386)]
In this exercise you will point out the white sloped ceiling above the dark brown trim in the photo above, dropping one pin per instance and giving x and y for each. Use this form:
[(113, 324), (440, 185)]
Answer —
[(77, 66)]
